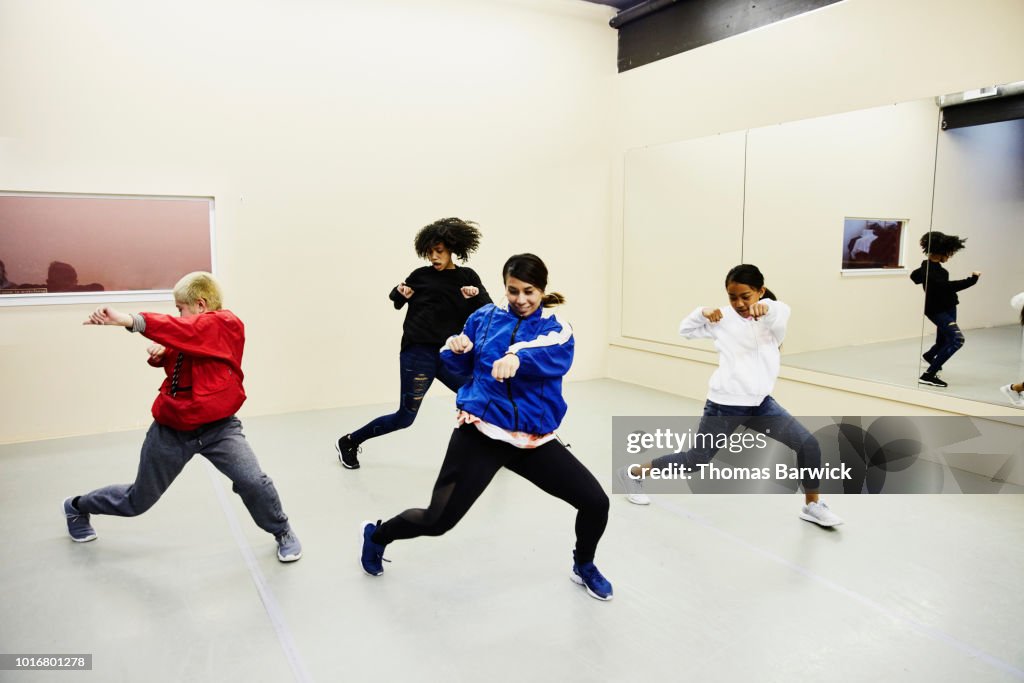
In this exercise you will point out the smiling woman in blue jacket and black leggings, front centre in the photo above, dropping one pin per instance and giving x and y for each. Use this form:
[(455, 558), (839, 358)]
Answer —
[(508, 413)]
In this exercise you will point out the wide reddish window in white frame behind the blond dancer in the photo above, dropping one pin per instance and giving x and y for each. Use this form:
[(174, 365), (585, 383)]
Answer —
[(63, 248)]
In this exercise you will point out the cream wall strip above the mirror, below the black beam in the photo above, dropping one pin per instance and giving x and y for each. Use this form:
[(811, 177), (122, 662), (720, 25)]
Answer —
[(849, 56)]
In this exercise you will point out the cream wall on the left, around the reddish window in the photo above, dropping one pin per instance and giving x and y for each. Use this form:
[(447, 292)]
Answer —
[(328, 134)]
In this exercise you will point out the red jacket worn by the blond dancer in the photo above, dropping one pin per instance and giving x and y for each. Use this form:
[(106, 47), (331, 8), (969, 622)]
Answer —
[(210, 378)]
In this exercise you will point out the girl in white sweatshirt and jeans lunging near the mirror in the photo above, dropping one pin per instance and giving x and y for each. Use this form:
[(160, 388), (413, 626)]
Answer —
[(748, 336)]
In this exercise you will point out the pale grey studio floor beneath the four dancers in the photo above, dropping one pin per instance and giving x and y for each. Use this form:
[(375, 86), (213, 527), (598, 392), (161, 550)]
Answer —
[(710, 588)]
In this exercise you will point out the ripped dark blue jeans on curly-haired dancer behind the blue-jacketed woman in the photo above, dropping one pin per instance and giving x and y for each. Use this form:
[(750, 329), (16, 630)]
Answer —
[(419, 365)]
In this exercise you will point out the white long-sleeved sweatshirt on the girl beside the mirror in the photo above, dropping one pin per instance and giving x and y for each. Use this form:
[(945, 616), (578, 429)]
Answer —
[(748, 352)]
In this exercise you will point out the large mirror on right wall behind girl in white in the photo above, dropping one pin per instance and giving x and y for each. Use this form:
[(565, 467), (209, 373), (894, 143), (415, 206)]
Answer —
[(782, 197)]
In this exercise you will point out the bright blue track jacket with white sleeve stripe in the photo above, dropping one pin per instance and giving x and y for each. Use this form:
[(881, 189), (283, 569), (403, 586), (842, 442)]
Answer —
[(531, 402)]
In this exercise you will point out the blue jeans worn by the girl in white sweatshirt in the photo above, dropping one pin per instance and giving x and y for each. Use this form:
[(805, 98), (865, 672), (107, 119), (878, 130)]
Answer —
[(770, 418)]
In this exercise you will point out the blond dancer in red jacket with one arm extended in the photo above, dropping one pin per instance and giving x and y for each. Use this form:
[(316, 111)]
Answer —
[(201, 355)]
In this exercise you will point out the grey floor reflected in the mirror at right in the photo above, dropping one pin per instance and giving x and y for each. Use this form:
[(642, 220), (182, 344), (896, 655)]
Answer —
[(991, 358)]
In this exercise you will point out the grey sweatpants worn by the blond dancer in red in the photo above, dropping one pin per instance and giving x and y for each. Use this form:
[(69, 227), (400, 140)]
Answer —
[(166, 452)]
